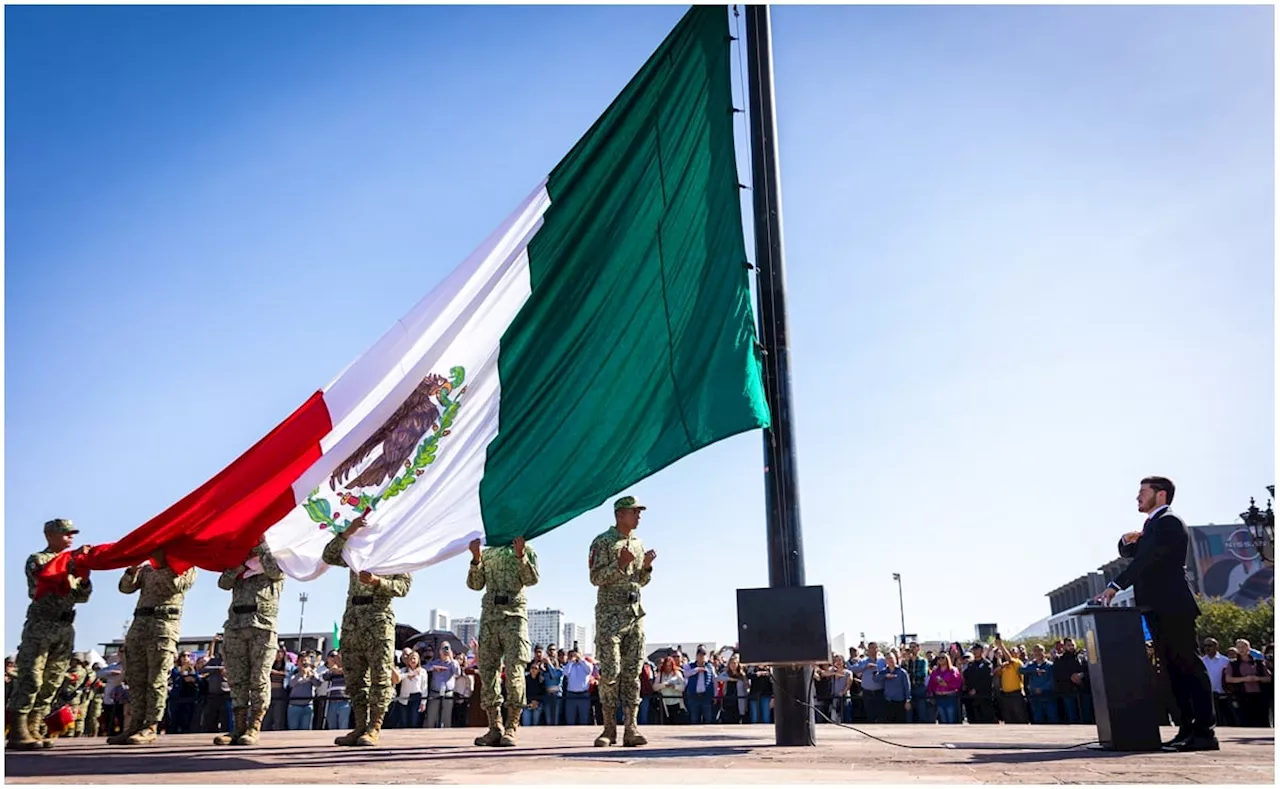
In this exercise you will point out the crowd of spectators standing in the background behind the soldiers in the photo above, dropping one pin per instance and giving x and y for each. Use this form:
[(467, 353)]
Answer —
[(435, 686)]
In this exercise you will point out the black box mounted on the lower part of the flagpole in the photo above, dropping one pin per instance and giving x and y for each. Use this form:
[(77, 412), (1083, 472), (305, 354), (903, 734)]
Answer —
[(784, 626)]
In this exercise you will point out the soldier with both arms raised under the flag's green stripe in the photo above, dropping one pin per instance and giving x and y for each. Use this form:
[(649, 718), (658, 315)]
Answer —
[(502, 572)]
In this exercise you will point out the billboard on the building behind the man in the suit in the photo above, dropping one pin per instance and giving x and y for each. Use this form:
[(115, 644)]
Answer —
[(1228, 565)]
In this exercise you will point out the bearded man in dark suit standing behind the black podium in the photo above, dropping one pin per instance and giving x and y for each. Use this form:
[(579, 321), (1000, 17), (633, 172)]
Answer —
[(1159, 578)]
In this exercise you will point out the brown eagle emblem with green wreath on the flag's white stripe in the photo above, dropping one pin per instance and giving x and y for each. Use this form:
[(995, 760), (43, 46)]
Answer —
[(400, 451)]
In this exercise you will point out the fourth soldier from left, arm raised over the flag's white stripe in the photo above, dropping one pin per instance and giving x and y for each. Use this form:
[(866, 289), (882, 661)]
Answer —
[(368, 641)]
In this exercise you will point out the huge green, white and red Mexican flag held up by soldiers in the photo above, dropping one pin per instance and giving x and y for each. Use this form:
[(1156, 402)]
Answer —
[(602, 332)]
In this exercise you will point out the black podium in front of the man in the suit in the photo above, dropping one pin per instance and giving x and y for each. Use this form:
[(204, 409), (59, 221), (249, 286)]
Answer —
[(1126, 699)]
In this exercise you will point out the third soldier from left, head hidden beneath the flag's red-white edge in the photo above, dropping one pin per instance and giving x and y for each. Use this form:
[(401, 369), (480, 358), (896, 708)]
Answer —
[(250, 641)]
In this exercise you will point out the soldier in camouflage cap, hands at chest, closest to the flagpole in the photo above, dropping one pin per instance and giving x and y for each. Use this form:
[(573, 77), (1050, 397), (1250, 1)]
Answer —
[(620, 568)]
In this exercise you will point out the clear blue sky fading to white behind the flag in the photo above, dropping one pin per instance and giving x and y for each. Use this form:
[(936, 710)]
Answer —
[(1031, 261)]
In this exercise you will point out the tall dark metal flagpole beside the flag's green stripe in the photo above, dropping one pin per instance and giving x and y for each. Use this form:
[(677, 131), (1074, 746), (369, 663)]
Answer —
[(794, 722)]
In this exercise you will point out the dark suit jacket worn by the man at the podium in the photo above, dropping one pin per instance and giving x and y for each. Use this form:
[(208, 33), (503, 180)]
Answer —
[(1159, 569)]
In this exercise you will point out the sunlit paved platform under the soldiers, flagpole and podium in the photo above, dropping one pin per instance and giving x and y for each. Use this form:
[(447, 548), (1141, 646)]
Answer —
[(675, 756)]
